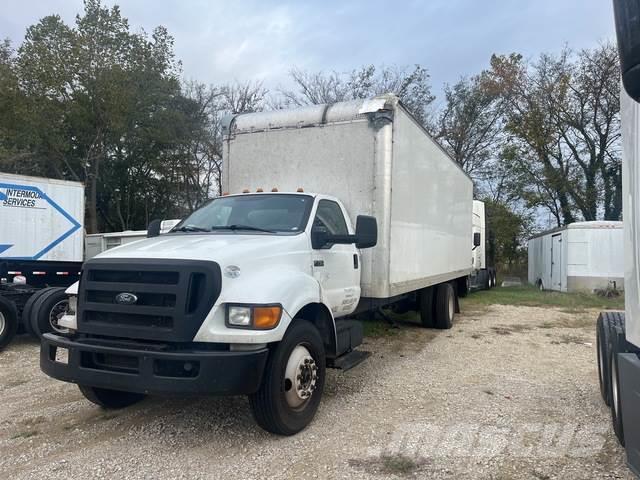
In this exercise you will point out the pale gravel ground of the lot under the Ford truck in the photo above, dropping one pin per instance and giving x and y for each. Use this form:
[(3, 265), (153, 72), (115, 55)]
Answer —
[(510, 392)]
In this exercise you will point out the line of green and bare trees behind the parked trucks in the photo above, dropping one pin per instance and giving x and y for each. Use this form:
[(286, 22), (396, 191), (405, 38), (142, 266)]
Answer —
[(98, 103)]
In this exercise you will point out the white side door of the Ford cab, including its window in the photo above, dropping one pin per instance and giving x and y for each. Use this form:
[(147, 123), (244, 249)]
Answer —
[(336, 267)]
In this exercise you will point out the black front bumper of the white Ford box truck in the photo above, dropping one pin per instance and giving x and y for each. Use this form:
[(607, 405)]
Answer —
[(132, 369)]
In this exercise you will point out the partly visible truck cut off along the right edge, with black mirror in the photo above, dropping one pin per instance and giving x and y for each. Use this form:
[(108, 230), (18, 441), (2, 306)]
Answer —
[(618, 333)]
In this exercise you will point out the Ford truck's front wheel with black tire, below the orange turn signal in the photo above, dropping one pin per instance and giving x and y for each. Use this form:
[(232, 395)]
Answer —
[(293, 381)]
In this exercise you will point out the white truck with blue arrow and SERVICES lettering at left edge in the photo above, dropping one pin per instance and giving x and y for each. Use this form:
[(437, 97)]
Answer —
[(41, 238)]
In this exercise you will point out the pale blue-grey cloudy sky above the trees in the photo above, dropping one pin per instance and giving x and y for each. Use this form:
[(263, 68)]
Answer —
[(219, 41)]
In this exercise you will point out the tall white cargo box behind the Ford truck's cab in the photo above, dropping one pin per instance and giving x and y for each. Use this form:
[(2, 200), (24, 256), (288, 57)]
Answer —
[(375, 157)]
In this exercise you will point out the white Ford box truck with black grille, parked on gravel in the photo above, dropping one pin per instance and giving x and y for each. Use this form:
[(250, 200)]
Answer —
[(255, 292)]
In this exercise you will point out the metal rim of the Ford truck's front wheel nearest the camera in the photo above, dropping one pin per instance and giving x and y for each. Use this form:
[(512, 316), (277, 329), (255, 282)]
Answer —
[(300, 377)]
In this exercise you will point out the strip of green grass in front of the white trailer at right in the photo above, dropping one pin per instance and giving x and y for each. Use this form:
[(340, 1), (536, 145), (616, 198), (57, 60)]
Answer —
[(530, 296)]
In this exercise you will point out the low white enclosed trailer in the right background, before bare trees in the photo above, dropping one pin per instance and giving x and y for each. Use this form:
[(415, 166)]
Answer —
[(582, 256)]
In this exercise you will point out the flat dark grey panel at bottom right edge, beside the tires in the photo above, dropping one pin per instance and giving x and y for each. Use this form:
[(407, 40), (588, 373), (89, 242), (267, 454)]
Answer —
[(630, 389)]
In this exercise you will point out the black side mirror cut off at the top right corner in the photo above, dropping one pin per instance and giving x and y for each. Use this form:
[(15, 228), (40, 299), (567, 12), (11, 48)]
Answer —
[(627, 16)]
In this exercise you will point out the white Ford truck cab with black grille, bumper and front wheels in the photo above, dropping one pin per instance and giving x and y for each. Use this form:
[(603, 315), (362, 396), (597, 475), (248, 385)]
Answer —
[(209, 307)]
